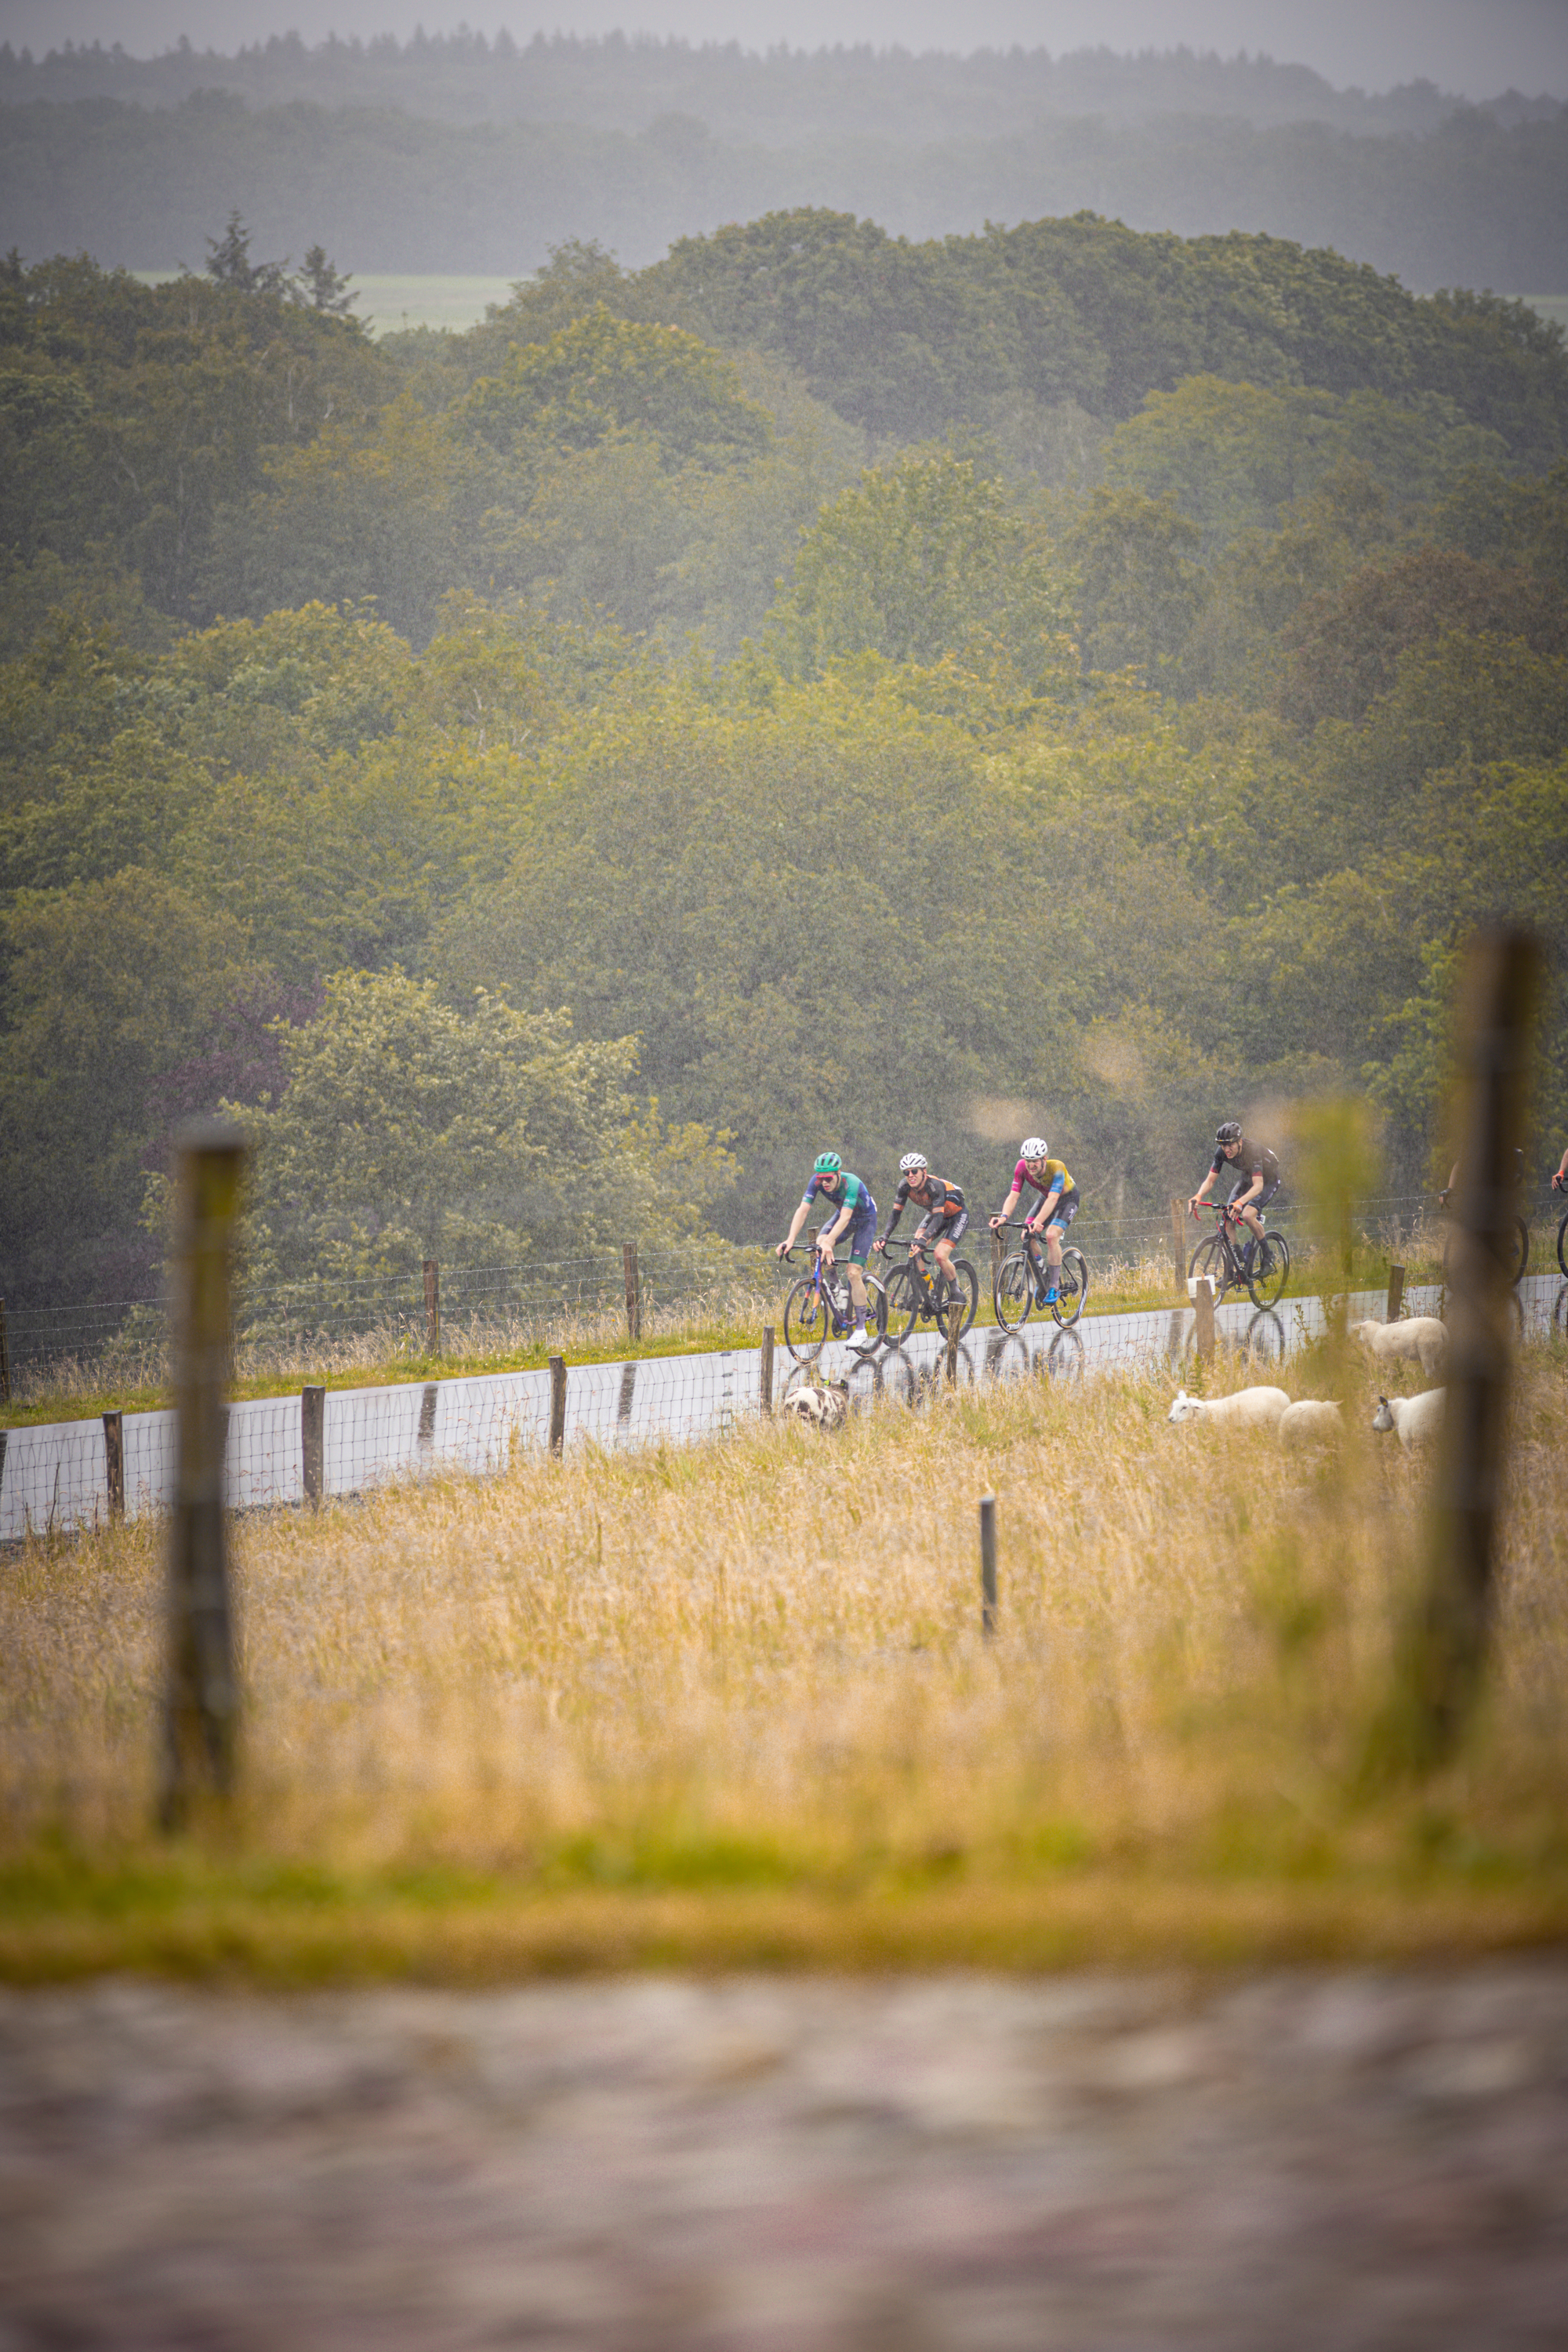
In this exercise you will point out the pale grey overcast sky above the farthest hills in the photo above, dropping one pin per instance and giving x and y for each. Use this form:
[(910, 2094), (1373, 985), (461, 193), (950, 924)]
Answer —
[(1470, 46)]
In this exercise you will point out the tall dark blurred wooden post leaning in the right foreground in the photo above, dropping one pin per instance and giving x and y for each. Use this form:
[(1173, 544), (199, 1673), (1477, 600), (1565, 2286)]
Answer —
[(1499, 994)]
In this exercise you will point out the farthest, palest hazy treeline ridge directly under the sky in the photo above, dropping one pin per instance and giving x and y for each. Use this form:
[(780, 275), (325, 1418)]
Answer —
[(775, 100)]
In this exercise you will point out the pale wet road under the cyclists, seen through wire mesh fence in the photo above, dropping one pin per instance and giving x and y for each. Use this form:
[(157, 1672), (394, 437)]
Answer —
[(65, 1476)]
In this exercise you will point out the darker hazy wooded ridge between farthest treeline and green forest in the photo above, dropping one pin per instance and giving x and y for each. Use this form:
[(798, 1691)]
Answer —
[(1475, 203)]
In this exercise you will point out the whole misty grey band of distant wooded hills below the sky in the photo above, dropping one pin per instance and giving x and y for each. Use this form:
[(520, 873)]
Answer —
[(478, 159)]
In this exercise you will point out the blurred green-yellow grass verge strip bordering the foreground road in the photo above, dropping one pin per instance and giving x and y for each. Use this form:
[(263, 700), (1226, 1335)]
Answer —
[(180, 1913)]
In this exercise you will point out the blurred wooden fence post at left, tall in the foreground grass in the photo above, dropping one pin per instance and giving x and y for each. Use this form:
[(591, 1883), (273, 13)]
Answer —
[(201, 1699)]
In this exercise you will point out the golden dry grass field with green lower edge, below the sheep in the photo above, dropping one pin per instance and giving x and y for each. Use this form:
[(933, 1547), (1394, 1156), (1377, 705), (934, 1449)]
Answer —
[(732, 1706)]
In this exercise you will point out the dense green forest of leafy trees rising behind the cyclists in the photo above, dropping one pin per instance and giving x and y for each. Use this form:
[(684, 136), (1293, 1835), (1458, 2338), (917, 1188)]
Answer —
[(817, 688)]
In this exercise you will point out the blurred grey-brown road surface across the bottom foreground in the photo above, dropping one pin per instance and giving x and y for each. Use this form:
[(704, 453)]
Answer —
[(1334, 2163)]
